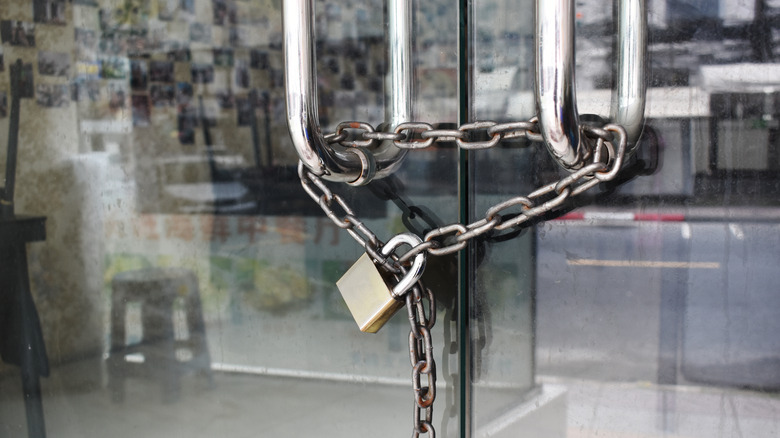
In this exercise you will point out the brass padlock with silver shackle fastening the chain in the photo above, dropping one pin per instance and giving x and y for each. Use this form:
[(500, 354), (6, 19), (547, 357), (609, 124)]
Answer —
[(367, 294)]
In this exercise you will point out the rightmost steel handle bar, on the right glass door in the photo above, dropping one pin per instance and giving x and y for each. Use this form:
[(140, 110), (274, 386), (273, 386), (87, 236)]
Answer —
[(628, 97)]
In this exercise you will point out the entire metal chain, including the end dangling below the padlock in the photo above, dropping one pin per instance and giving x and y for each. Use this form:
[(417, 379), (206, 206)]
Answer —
[(451, 238)]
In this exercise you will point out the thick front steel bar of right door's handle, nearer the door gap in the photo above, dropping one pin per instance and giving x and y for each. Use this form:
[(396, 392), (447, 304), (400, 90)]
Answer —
[(555, 83)]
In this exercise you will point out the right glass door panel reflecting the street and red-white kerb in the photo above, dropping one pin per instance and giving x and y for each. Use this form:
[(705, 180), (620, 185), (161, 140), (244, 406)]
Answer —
[(651, 310)]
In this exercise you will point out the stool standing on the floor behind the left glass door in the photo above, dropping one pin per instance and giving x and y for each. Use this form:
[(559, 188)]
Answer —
[(156, 290)]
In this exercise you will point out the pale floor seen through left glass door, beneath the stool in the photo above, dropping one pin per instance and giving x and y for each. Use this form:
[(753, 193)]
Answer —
[(238, 406)]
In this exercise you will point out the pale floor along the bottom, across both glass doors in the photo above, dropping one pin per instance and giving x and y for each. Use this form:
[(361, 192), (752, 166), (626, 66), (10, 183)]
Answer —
[(245, 405)]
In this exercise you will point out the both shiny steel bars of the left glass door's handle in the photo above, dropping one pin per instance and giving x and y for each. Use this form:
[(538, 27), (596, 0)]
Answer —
[(333, 162)]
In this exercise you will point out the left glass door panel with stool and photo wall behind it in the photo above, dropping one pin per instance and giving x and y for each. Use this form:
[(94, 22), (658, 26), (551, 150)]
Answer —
[(184, 282)]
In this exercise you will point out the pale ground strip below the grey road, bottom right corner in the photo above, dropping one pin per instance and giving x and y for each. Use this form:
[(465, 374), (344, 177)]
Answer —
[(602, 409)]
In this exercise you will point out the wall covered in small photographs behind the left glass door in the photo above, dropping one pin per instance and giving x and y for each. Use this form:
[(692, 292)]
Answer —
[(145, 76)]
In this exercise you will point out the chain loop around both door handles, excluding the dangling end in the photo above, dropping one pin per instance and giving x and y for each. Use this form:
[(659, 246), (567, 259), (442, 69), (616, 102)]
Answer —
[(454, 237)]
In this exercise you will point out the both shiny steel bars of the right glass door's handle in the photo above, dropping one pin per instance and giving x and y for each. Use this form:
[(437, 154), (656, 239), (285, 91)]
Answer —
[(555, 81)]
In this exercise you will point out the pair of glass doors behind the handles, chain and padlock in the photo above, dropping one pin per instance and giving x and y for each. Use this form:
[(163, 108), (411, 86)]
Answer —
[(164, 273)]
